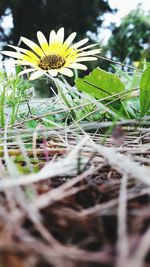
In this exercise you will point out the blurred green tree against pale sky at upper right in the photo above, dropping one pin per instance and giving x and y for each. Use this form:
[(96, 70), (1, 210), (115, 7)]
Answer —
[(128, 39)]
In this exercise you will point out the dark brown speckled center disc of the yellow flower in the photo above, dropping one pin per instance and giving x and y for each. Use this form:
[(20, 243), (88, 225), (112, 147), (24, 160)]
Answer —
[(51, 62)]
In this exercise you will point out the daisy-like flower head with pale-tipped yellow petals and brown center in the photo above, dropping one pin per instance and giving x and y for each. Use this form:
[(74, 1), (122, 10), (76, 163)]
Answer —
[(53, 57)]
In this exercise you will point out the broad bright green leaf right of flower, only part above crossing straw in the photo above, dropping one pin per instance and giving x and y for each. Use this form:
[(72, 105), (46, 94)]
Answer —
[(100, 84)]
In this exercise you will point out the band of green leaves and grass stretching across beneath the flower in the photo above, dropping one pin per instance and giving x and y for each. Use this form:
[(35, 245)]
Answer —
[(98, 96)]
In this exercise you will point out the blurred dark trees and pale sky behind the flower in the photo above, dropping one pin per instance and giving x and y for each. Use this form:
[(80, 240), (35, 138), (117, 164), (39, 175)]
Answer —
[(121, 28)]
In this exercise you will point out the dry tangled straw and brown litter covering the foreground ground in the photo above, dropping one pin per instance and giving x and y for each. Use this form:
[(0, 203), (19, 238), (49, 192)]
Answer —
[(63, 207)]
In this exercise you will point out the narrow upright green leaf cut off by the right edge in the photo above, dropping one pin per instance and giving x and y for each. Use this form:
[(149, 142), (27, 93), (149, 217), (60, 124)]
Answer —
[(145, 91)]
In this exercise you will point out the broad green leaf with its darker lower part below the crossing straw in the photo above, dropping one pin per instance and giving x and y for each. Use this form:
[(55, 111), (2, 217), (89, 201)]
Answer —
[(104, 85)]
